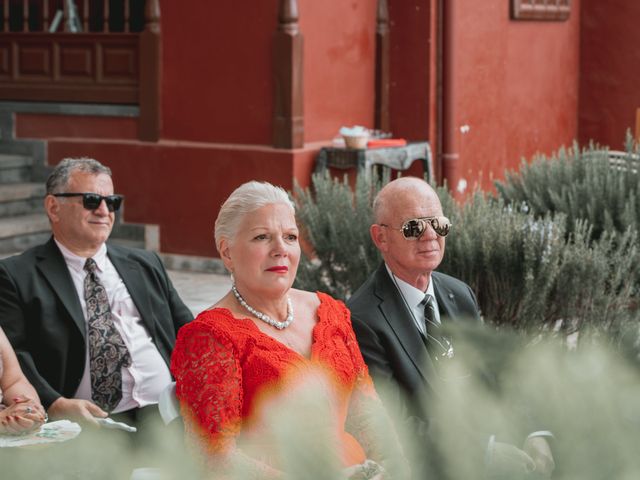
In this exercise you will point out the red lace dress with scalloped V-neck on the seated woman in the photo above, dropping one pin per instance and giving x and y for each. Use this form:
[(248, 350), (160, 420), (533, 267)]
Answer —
[(227, 371)]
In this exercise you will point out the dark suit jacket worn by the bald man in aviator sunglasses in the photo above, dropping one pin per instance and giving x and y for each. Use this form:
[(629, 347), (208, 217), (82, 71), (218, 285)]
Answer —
[(391, 344)]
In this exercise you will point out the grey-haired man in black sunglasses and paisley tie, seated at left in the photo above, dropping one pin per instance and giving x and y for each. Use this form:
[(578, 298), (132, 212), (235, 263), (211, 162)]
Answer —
[(93, 325)]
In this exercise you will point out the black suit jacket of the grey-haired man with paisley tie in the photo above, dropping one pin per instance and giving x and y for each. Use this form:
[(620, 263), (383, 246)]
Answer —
[(41, 314)]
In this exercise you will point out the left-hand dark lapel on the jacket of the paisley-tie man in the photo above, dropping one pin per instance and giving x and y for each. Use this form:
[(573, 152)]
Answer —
[(53, 267)]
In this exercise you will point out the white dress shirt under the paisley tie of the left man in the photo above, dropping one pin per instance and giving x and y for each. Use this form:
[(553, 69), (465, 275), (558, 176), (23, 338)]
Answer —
[(148, 374)]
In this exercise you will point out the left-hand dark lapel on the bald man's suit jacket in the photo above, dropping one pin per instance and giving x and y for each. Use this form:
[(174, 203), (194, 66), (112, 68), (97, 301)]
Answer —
[(400, 321)]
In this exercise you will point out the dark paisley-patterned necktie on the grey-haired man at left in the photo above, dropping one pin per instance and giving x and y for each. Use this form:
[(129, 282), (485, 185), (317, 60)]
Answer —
[(107, 351)]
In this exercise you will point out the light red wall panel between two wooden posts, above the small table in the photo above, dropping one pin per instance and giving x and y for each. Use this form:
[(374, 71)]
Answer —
[(339, 57)]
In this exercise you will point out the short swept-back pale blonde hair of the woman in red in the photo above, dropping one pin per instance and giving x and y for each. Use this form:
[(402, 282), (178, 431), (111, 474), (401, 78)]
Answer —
[(245, 199)]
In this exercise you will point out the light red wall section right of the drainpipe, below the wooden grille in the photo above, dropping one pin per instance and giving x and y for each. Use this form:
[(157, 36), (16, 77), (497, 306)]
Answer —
[(513, 83)]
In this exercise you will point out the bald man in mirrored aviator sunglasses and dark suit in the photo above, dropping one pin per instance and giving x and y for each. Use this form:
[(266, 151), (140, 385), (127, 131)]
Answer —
[(398, 316)]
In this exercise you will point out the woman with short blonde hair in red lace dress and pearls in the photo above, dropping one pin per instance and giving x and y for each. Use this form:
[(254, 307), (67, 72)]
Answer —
[(240, 359)]
